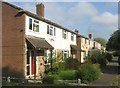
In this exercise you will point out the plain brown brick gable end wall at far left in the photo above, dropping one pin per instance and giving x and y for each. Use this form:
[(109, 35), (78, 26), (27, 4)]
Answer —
[(12, 42)]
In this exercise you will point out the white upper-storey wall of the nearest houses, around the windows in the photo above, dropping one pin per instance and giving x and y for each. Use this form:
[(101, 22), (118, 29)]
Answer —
[(56, 41)]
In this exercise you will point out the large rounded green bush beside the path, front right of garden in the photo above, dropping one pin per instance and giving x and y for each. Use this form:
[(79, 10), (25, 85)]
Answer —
[(88, 72)]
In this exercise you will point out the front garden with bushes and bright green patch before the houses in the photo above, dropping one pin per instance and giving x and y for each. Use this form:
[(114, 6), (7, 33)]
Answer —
[(71, 72)]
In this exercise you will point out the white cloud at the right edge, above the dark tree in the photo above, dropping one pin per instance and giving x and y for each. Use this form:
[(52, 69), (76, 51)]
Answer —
[(107, 20)]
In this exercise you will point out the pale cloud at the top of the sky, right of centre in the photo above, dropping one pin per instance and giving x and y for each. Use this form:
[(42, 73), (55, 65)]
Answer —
[(82, 9)]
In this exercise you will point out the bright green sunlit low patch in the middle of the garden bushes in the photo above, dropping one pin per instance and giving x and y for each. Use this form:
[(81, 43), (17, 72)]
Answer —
[(68, 75)]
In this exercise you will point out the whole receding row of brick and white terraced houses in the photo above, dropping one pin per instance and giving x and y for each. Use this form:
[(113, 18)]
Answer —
[(30, 39)]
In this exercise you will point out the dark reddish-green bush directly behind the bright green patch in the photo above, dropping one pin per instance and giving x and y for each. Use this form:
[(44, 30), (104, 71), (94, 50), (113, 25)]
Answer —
[(71, 63)]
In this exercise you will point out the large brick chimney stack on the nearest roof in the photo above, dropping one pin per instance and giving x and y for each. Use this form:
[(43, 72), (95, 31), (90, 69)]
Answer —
[(40, 10)]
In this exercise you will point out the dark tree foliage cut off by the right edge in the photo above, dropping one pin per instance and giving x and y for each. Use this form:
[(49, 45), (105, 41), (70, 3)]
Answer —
[(114, 41)]
